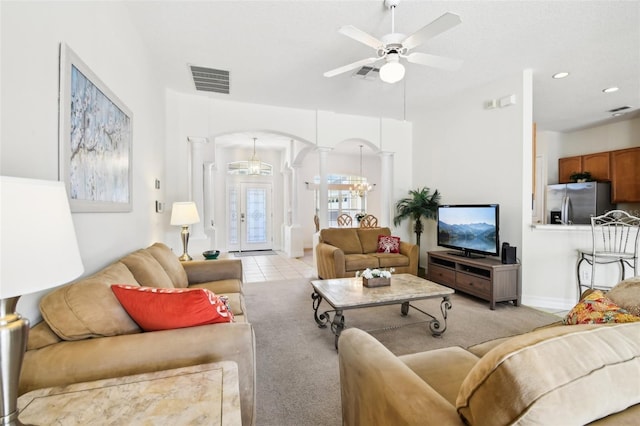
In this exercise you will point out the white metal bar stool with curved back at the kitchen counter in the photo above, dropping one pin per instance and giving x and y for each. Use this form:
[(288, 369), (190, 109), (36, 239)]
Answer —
[(614, 240)]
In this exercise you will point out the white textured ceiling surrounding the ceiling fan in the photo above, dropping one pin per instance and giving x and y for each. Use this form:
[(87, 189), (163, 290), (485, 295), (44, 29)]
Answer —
[(277, 51)]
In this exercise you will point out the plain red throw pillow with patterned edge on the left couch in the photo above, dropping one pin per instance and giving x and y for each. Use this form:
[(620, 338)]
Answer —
[(168, 308)]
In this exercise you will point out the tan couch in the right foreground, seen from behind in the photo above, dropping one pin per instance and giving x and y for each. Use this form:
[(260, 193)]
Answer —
[(562, 375)]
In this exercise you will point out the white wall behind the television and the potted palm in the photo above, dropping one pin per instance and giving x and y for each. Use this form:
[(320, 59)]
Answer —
[(475, 155)]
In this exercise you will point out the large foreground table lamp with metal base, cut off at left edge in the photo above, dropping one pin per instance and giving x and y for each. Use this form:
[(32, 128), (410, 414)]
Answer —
[(36, 226)]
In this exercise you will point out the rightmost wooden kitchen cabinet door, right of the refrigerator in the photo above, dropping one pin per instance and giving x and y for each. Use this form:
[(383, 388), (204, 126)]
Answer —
[(625, 175)]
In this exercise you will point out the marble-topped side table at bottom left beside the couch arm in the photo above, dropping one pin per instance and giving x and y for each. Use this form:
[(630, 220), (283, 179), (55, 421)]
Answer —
[(206, 394)]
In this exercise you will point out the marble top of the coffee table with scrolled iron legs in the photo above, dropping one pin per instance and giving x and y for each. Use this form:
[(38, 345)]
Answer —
[(343, 293)]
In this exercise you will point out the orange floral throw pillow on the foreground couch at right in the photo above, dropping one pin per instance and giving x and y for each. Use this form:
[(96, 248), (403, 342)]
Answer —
[(596, 308)]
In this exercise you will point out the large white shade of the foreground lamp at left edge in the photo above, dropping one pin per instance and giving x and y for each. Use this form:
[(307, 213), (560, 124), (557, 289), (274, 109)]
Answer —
[(39, 247)]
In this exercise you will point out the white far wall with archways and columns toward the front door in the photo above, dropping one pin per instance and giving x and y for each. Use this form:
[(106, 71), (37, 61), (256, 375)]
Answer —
[(195, 115)]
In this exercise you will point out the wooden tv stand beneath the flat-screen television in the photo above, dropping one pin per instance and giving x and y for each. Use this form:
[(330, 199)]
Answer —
[(486, 278)]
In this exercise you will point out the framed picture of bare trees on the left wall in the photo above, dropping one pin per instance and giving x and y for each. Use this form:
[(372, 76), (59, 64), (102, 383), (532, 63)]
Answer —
[(95, 141)]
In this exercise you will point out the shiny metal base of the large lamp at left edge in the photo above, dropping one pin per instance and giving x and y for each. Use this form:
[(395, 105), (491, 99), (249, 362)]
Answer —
[(14, 331)]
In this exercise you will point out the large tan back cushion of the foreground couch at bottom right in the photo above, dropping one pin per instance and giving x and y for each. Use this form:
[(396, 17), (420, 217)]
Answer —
[(558, 375)]
